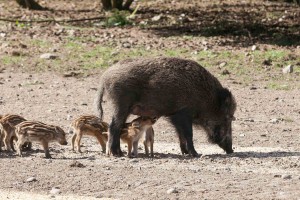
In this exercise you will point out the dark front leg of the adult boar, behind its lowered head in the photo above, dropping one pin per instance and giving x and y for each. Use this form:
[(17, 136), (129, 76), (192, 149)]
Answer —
[(182, 121)]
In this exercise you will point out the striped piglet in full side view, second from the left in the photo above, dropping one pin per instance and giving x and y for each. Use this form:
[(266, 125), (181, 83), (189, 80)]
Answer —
[(34, 131)]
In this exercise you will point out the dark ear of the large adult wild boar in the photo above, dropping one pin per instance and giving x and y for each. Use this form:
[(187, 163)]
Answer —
[(226, 102)]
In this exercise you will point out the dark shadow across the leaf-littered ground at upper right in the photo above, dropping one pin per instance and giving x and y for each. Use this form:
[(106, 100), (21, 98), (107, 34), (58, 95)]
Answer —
[(245, 24)]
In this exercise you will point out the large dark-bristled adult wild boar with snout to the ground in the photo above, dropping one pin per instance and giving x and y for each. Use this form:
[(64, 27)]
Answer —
[(179, 89)]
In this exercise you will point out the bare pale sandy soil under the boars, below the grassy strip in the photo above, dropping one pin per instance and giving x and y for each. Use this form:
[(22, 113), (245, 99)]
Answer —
[(265, 165)]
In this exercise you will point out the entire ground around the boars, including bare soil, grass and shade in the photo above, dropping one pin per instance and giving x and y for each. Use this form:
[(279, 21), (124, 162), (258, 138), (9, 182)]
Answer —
[(266, 134)]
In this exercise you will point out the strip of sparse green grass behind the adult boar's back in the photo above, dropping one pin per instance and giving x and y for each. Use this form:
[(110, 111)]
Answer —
[(84, 54)]
